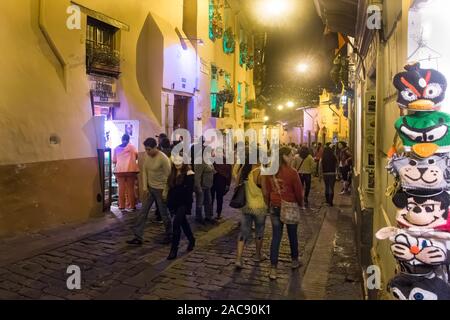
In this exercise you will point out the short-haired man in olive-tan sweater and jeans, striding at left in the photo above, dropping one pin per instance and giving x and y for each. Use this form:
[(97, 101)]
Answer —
[(155, 173)]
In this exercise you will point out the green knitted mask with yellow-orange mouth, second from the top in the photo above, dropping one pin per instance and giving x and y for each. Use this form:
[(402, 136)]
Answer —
[(425, 133)]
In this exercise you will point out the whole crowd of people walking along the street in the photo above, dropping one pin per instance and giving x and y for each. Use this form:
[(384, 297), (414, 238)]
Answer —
[(172, 185)]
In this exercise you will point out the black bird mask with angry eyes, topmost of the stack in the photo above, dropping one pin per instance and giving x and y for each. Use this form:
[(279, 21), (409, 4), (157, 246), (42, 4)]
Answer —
[(420, 89)]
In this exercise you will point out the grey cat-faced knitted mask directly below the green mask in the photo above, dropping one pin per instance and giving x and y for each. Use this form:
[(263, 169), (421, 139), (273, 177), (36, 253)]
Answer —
[(417, 174)]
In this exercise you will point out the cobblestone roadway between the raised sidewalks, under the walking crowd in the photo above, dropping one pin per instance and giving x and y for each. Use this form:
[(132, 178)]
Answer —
[(111, 269)]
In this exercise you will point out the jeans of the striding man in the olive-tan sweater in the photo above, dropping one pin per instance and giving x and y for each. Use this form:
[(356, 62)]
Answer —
[(154, 195)]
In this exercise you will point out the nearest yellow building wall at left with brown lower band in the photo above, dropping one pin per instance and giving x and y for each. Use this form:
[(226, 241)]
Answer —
[(45, 91)]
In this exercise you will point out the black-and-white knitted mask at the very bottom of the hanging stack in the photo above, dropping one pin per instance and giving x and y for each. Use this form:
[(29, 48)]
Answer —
[(410, 287)]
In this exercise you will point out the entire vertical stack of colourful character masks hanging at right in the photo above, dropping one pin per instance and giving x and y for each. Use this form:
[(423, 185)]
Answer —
[(421, 242)]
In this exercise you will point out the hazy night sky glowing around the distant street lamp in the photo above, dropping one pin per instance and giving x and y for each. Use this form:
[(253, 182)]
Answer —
[(298, 38)]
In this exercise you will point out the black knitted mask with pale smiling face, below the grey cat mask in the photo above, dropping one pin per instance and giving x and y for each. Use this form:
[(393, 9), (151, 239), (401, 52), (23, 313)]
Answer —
[(422, 209)]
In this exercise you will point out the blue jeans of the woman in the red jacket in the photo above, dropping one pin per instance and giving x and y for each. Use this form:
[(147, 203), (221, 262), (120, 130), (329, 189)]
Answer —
[(277, 235)]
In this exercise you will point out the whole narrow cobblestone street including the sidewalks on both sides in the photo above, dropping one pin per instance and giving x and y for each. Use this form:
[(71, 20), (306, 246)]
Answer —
[(113, 270)]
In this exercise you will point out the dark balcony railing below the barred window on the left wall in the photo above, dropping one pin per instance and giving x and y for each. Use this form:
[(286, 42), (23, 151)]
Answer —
[(101, 59)]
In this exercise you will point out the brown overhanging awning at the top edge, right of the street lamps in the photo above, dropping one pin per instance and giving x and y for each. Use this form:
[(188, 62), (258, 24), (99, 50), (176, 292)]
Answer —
[(339, 15)]
